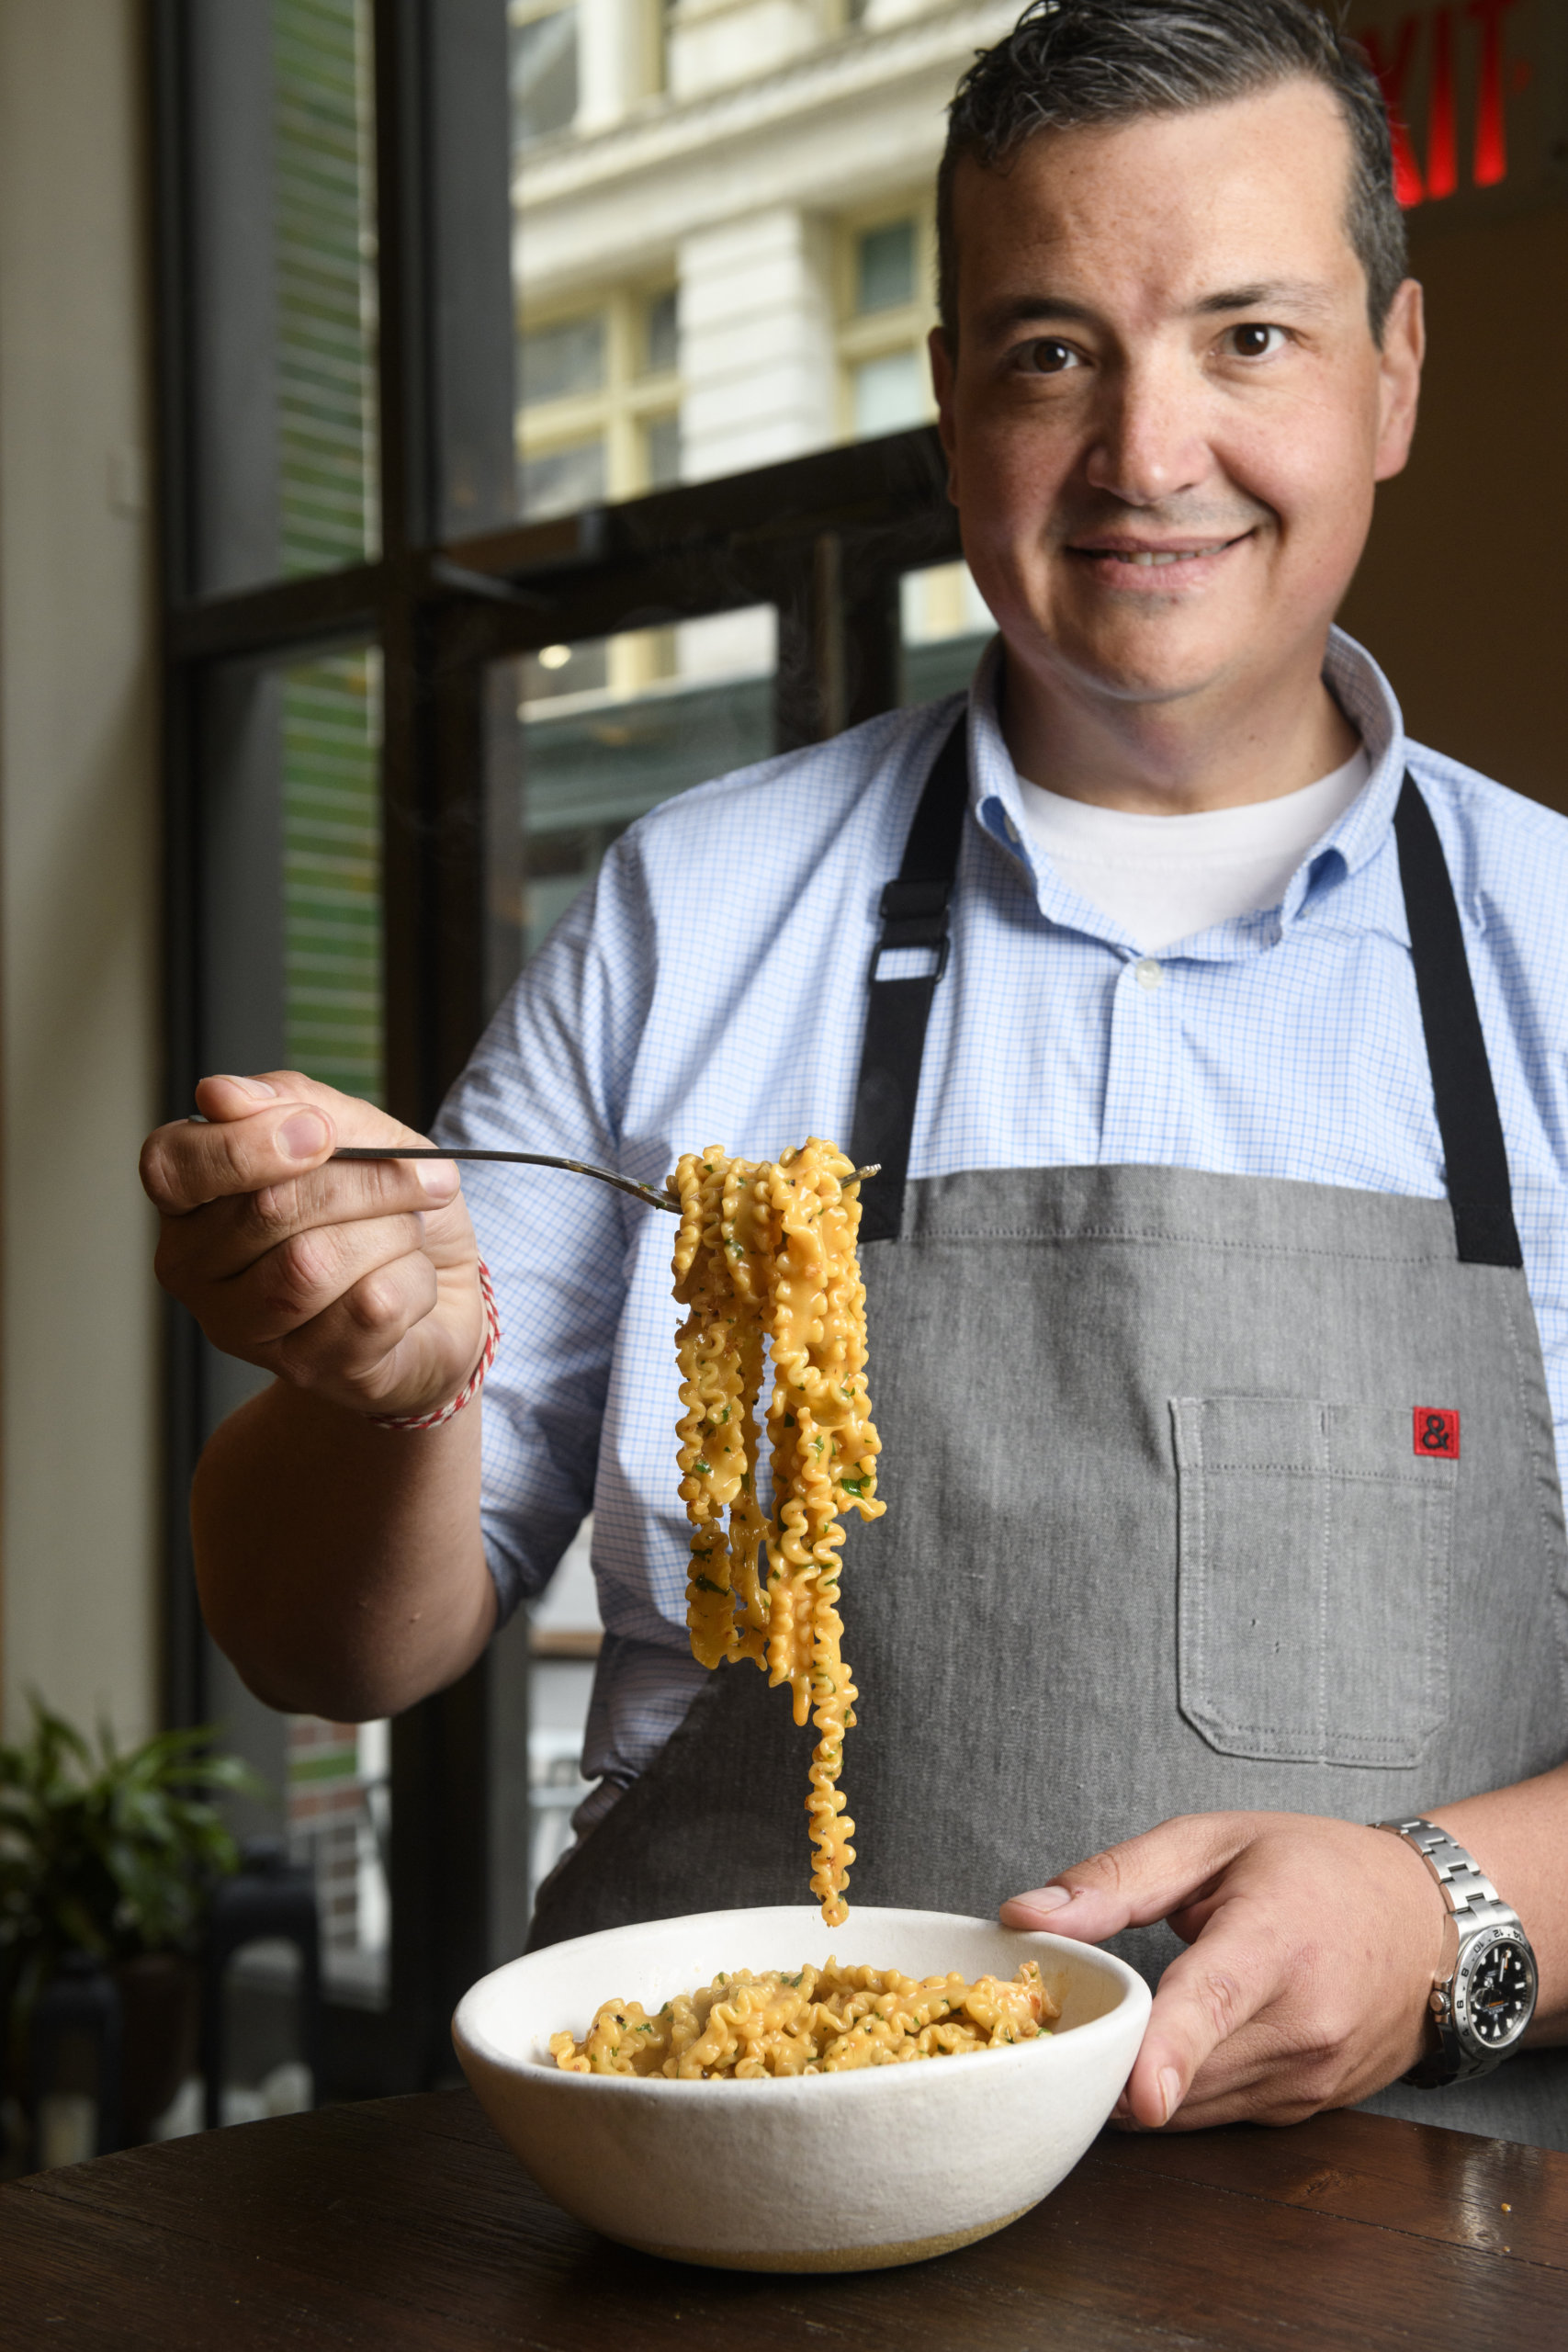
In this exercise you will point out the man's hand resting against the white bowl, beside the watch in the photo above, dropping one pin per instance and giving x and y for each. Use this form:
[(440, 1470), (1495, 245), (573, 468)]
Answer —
[(1313, 1953)]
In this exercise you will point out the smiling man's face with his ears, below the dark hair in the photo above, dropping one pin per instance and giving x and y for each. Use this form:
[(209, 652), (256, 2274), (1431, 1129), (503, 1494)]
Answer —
[(1165, 352)]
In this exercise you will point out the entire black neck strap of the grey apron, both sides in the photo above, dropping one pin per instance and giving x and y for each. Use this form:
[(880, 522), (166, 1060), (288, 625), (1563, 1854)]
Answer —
[(899, 1010)]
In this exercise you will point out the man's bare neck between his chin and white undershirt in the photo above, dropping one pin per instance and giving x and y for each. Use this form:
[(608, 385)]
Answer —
[(1172, 759)]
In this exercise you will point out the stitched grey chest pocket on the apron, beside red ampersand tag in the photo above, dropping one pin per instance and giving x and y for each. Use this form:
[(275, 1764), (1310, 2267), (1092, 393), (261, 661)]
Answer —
[(1313, 1558)]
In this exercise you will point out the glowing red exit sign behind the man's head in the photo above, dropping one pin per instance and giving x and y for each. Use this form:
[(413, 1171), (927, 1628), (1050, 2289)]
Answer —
[(1475, 93)]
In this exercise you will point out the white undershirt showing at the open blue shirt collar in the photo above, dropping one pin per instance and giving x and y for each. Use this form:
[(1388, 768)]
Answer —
[(1172, 876)]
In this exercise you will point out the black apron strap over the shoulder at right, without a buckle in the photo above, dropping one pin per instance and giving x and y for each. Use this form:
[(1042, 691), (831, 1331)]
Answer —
[(1456, 1050)]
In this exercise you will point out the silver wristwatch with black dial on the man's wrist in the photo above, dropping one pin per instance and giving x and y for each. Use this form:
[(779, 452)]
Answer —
[(1487, 2000)]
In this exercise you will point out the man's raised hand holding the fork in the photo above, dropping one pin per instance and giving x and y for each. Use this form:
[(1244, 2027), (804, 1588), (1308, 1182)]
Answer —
[(351, 1281)]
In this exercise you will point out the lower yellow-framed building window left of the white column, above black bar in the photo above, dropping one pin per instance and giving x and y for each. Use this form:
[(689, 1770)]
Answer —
[(598, 403)]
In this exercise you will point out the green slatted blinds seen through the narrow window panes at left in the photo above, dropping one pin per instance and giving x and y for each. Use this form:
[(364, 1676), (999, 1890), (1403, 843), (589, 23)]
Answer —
[(328, 516)]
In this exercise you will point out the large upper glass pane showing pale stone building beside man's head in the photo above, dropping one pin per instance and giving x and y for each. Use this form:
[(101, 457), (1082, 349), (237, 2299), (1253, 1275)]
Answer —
[(758, 298)]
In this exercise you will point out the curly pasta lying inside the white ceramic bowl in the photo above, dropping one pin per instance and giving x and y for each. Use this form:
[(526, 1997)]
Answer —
[(822, 2022)]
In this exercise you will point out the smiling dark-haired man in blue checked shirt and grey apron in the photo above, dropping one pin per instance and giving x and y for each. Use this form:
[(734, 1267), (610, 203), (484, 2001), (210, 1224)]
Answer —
[(1217, 1426)]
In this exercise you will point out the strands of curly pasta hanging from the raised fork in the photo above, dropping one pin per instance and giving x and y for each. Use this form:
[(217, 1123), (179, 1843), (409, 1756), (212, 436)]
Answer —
[(768, 1252)]
